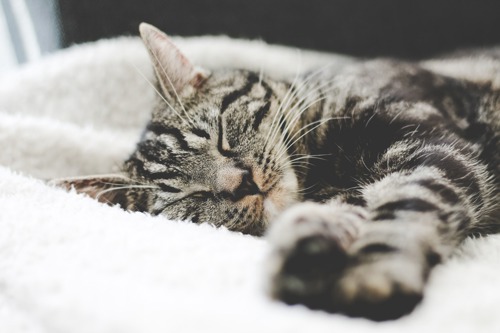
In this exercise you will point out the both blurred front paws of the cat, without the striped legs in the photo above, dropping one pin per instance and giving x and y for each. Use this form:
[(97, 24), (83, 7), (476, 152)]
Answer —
[(333, 259)]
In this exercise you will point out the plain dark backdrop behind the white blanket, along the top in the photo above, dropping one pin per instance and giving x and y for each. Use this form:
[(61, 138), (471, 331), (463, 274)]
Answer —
[(411, 29)]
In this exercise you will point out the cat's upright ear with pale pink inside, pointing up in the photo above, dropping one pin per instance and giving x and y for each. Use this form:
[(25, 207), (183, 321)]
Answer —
[(172, 68)]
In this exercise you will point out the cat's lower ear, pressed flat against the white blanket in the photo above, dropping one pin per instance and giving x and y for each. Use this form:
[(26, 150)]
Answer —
[(109, 189)]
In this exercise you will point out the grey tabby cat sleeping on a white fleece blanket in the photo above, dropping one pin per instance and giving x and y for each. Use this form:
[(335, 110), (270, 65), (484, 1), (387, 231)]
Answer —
[(363, 178)]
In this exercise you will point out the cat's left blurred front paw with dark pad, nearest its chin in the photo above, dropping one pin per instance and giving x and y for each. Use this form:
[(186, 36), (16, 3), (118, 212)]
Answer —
[(311, 243)]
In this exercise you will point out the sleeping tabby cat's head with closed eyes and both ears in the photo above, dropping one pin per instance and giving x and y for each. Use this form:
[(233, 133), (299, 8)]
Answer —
[(213, 150)]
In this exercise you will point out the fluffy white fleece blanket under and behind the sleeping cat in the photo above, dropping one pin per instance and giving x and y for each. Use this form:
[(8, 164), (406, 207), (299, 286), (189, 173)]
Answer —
[(71, 264)]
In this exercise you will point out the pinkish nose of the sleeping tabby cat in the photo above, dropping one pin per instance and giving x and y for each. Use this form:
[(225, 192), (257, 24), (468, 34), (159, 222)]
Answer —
[(236, 183)]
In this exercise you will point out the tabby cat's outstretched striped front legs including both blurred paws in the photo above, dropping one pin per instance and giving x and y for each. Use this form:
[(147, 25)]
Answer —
[(373, 261)]
